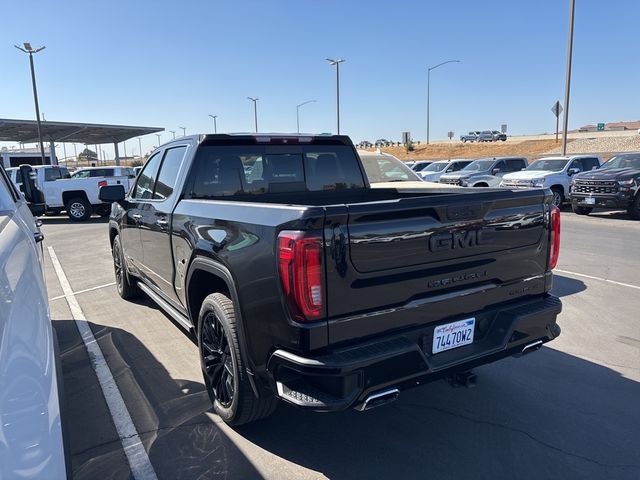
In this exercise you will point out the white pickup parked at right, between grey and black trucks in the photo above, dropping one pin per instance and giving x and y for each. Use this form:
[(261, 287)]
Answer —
[(552, 172)]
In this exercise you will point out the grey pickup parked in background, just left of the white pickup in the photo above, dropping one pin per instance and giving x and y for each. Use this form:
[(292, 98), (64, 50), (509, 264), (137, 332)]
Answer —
[(486, 172)]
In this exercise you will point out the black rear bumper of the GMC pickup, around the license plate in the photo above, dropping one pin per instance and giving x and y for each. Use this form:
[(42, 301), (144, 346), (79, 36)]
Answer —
[(345, 378)]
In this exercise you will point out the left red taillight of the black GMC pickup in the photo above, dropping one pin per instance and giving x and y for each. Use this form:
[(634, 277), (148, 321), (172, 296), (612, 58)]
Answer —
[(301, 274)]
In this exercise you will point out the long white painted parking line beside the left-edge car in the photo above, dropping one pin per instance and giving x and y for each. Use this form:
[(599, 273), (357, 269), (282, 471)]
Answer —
[(137, 457)]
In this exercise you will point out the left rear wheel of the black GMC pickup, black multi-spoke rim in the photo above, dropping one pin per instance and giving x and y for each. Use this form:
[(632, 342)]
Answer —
[(223, 368)]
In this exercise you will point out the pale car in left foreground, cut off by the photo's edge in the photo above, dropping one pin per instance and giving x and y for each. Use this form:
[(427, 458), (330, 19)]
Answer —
[(31, 435)]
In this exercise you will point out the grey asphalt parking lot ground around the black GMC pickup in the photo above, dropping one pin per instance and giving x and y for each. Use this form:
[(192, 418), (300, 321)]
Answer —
[(568, 411)]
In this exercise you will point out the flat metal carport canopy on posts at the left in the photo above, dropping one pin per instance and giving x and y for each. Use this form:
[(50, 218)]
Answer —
[(26, 131)]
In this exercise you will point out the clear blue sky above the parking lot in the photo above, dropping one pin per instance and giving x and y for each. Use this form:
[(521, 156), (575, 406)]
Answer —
[(171, 64)]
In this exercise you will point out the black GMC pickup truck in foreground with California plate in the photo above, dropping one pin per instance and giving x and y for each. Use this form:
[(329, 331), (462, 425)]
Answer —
[(303, 284)]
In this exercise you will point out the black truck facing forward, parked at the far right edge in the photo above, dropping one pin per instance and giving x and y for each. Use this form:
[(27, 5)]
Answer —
[(615, 185)]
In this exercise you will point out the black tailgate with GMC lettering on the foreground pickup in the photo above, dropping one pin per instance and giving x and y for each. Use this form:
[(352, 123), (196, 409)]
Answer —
[(414, 261)]
